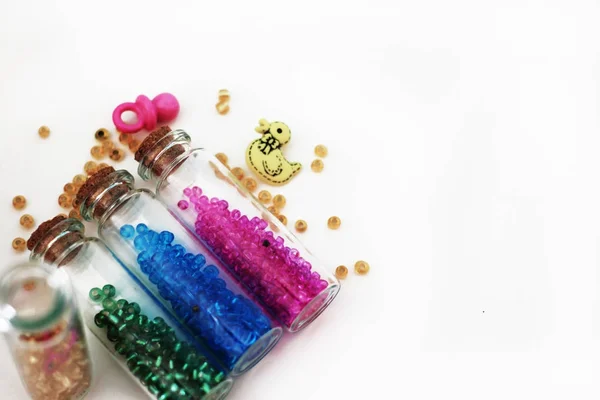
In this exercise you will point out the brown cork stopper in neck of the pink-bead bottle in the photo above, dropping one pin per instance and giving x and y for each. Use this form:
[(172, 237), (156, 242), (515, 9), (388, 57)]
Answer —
[(149, 152)]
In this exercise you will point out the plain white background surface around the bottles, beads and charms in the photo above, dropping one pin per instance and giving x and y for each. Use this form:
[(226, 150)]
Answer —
[(463, 140)]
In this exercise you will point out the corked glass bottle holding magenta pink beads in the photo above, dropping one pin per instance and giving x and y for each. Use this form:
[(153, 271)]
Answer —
[(259, 250)]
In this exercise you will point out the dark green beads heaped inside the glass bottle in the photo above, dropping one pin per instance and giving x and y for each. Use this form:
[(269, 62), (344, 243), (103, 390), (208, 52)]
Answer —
[(167, 366)]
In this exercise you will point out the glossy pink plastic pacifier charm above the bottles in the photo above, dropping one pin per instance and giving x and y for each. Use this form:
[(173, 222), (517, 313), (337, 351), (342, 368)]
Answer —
[(163, 108)]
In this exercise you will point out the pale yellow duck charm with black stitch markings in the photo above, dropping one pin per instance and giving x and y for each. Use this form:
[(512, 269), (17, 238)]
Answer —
[(264, 155)]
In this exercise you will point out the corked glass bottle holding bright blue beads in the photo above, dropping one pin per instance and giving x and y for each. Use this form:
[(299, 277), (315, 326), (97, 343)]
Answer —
[(178, 270)]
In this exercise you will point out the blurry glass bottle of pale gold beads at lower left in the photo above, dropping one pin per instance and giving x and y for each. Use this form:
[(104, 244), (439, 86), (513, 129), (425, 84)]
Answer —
[(40, 321)]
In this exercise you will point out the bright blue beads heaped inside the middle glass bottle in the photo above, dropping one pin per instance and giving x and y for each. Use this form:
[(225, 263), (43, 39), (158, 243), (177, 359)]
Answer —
[(228, 323)]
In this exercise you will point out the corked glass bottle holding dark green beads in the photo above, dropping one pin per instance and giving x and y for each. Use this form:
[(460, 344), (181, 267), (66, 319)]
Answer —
[(142, 336)]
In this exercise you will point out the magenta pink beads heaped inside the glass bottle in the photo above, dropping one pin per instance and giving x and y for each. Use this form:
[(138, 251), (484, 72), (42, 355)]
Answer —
[(277, 274)]
